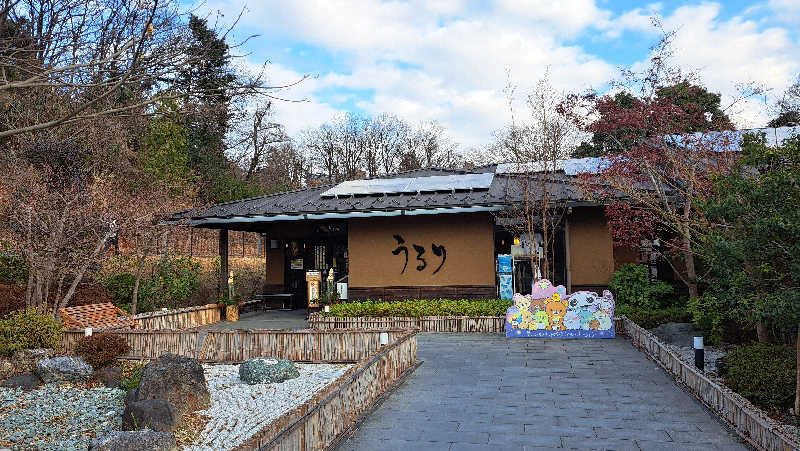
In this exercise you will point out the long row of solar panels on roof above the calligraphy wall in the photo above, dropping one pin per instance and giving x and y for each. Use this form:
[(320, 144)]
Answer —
[(411, 185)]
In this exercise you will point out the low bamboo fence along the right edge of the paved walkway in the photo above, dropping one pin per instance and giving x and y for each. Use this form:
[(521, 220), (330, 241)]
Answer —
[(750, 422)]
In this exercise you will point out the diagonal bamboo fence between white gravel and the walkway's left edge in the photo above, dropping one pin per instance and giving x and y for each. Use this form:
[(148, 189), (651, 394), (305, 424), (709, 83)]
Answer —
[(320, 421)]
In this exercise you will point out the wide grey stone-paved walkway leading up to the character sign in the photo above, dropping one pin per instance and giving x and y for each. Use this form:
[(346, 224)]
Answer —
[(483, 392)]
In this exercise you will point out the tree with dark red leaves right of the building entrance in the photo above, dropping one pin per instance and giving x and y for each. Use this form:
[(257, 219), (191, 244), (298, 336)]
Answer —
[(663, 139)]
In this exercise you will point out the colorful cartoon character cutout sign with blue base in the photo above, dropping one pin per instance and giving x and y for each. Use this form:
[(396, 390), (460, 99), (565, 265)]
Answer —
[(549, 312)]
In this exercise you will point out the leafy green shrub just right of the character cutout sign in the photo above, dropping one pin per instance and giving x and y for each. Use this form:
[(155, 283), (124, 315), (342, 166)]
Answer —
[(631, 285)]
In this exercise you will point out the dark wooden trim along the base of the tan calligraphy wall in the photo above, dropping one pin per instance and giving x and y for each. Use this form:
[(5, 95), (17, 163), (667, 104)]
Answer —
[(399, 293)]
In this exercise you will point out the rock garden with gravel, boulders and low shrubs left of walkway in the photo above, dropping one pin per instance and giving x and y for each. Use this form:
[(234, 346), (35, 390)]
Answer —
[(93, 400)]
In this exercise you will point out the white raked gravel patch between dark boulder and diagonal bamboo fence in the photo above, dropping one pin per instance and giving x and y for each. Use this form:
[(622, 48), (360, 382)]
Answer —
[(238, 410)]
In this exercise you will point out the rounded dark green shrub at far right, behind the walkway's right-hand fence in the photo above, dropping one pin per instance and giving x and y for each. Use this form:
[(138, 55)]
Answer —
[(764, 374)]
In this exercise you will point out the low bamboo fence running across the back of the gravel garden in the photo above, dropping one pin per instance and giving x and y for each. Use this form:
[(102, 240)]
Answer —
[(239, 345)]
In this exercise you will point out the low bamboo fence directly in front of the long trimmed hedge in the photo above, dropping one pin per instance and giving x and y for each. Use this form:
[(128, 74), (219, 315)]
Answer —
[(474, 324)]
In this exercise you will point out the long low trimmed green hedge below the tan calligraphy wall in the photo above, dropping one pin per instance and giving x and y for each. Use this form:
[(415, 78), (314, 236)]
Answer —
[(416, 308)]
